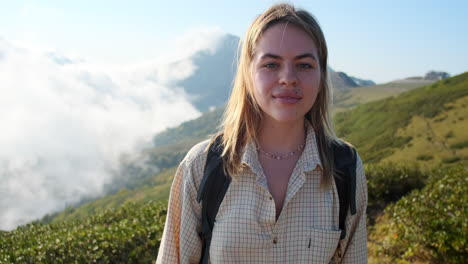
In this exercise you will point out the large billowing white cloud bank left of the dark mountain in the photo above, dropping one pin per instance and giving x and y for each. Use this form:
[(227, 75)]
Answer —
[(65, 122)]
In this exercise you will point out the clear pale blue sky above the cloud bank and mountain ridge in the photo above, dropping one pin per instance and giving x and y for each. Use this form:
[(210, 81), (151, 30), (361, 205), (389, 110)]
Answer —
[(377, 40)]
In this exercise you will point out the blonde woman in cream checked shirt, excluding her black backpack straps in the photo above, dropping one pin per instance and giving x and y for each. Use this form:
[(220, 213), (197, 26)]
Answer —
[(282, 205)]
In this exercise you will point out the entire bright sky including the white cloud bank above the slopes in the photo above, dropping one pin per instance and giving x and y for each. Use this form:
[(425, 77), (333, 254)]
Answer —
[(85, 83)]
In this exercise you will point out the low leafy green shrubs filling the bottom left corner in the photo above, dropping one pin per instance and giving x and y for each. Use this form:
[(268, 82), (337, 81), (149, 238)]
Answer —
[(130, 234)]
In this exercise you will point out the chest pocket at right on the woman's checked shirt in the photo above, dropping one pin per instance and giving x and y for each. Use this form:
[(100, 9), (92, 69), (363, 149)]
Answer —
[(317, 245)]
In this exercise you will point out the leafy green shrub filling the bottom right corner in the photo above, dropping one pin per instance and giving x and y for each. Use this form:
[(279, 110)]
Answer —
[(431, 223)]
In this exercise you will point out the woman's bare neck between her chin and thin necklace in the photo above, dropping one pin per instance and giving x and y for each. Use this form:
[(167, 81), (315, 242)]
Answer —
[(278, 137)]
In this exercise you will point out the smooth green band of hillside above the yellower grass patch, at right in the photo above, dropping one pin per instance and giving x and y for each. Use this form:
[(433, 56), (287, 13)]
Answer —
[(373, 127)]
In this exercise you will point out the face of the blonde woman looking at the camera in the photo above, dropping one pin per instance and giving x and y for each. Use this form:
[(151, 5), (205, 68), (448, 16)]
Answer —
[(286, 73)]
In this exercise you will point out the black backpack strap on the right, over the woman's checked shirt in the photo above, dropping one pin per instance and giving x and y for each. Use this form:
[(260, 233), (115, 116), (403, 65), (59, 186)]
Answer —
[(345, 180)]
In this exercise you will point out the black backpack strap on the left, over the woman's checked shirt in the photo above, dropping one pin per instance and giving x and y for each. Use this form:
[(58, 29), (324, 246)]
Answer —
[(211, 192)]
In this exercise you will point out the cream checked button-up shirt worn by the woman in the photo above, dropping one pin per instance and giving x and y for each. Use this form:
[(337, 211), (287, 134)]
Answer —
[(246, 230)]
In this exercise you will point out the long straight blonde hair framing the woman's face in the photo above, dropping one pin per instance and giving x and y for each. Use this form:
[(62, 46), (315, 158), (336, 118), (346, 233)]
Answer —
[(243, 116)]
